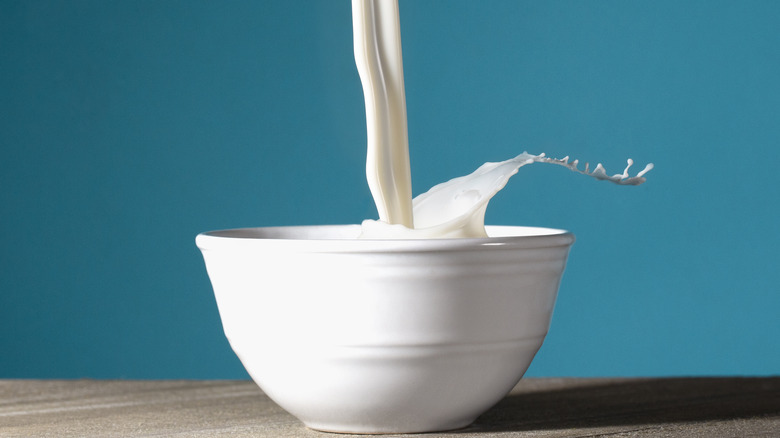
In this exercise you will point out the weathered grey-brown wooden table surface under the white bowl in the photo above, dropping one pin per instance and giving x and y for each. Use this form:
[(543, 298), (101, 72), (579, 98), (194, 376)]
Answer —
[(659, 407)]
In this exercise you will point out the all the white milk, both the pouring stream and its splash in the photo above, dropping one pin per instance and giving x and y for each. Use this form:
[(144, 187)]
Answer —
[(454, 209)]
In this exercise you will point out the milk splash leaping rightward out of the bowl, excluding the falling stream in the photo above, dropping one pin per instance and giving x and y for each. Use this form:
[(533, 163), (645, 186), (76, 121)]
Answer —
[(456, 208)]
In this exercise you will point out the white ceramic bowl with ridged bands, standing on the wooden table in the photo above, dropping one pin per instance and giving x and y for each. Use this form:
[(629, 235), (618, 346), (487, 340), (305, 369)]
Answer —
[(385, 336)]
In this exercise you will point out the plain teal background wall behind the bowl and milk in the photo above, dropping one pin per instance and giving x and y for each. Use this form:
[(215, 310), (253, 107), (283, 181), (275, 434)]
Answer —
[(127, 127)]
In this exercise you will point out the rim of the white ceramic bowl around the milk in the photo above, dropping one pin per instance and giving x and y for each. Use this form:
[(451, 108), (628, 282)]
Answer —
[(343, 239)]
